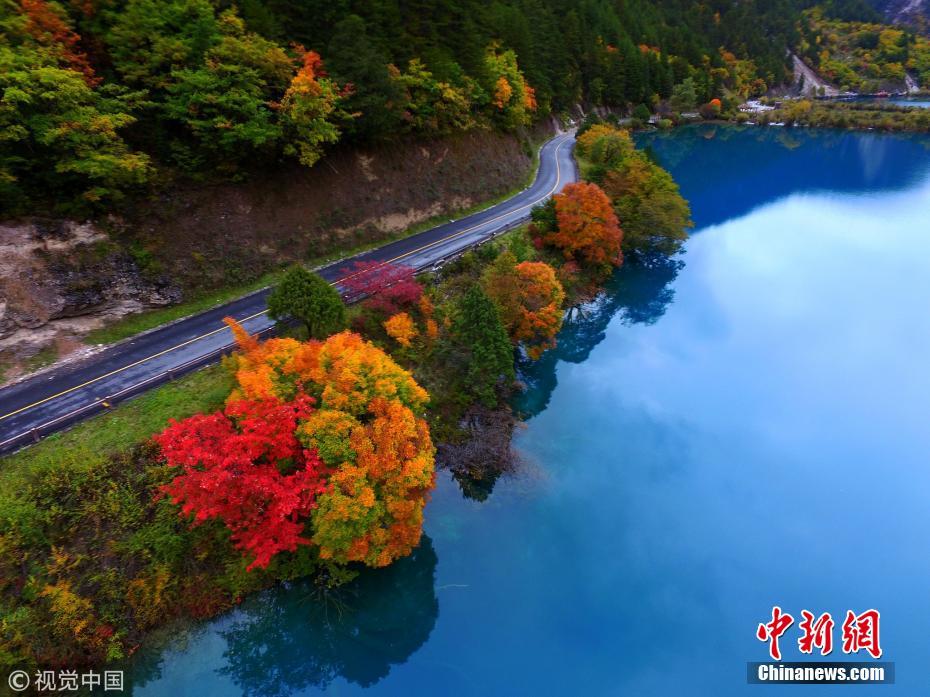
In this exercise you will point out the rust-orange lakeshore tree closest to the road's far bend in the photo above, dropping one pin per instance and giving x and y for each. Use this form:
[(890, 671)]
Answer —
[(587, 228)]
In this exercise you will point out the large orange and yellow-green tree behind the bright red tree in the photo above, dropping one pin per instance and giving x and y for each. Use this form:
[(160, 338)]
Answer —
[(366, 430)]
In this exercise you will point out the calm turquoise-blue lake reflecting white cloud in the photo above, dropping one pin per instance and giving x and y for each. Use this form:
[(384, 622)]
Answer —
[(742, 428)]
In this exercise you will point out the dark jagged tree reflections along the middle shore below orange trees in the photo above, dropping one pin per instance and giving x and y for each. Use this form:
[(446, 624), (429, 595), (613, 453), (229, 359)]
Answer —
[(637, 293)]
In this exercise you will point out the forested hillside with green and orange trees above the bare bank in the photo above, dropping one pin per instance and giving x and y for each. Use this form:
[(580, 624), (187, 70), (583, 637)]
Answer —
[(117, 98)]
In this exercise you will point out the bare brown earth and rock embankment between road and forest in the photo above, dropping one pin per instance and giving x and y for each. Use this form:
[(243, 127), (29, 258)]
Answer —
[(63, 279)]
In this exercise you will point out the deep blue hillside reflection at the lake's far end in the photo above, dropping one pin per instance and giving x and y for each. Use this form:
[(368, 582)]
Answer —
[(740, 169)]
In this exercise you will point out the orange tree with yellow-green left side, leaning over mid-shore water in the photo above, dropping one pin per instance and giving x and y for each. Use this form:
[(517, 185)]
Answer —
[(530, 299)]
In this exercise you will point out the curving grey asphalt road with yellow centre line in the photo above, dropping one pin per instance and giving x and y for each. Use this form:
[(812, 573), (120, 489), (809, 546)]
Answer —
[(59, 398)]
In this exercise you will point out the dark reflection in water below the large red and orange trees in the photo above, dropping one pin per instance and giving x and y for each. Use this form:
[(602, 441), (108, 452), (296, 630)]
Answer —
[(294, 641)]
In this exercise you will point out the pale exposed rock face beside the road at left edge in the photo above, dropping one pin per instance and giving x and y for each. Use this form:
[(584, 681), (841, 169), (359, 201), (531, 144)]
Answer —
[(59, 280)]
